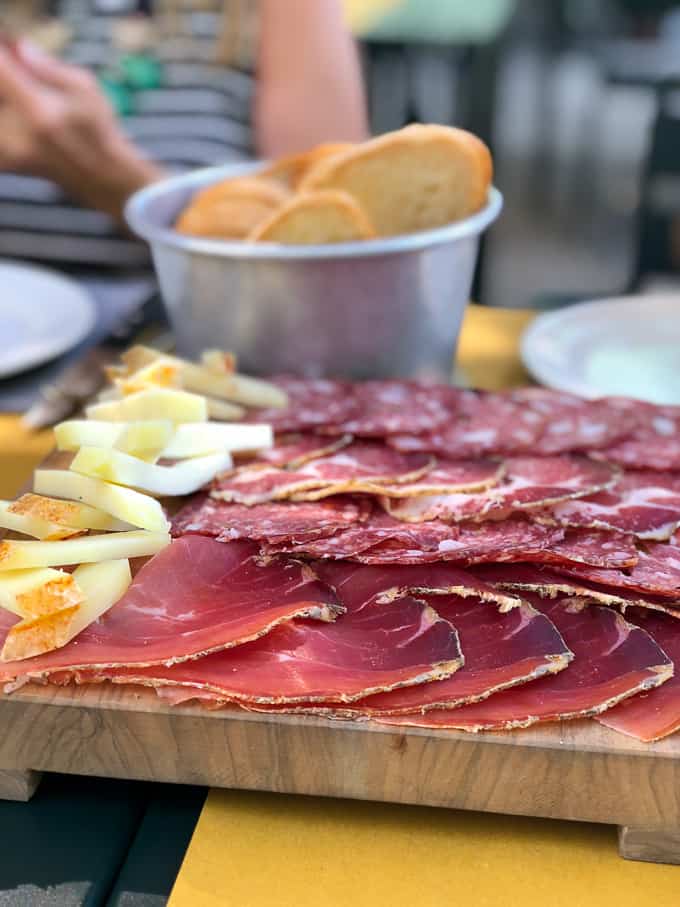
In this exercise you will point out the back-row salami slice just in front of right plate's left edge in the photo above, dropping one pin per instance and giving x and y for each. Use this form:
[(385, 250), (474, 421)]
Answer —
[(573, 424)]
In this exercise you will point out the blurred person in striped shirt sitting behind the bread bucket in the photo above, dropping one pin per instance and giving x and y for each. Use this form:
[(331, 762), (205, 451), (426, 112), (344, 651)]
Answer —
[(99, 98)]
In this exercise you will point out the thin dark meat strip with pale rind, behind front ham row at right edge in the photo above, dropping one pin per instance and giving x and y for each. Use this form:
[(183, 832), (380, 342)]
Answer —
[(550, 583)]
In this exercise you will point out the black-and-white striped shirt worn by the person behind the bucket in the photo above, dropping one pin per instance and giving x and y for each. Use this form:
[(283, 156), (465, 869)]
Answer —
[(199, 115)]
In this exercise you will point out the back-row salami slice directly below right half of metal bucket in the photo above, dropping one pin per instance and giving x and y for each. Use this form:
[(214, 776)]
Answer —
[(393, 407)]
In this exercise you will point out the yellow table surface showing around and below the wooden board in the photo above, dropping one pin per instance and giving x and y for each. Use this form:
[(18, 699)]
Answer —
[(251, 848)]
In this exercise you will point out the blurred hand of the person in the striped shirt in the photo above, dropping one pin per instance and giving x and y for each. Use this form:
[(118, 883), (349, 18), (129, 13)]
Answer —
[(55, 122)]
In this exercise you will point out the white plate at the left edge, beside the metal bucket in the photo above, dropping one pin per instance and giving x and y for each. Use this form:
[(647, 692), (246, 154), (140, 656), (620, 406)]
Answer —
[(42, 315)]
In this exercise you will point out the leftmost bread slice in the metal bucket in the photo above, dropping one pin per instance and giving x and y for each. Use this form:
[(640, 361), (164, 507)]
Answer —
[(231, 209)]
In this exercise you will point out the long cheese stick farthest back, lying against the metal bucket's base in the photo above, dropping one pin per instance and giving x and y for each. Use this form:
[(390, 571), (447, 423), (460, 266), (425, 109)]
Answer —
[(208, 380)]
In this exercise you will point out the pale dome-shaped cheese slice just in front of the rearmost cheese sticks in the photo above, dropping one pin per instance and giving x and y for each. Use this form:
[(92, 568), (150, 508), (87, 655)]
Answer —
[(157, 403)]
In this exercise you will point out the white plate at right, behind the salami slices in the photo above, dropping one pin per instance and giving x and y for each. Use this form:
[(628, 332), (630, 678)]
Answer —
[(628, 346)]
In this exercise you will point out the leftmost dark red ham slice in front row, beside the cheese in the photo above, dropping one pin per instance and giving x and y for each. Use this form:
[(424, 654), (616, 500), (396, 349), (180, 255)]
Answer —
[(195, 596)]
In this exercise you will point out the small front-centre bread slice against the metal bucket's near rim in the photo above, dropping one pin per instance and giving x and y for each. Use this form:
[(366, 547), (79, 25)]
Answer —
[(315, 217)]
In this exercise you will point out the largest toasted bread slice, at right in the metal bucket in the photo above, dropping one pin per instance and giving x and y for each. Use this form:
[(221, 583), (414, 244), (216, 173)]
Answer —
[(418, 178)]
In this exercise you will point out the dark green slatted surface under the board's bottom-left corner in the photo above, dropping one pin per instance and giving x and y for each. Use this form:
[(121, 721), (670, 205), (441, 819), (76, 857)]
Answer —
[(86, 842)]
